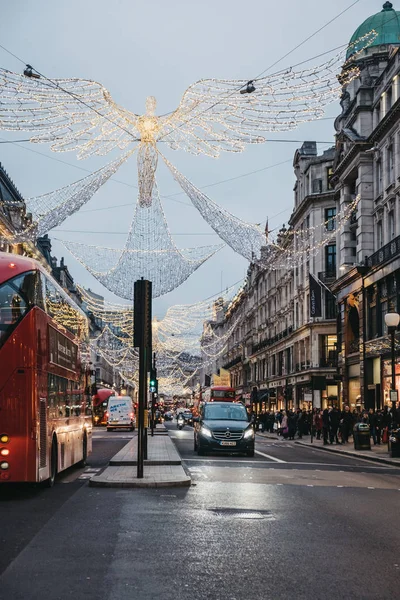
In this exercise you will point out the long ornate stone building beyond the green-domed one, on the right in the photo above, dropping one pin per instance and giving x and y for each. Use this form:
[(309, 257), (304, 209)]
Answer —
[(280, 346)]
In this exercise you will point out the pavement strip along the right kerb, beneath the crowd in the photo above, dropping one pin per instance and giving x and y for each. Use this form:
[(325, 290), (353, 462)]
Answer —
[(378, 453)]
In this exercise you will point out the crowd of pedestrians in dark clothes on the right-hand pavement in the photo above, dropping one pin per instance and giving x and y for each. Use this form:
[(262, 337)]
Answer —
[(332, 425)]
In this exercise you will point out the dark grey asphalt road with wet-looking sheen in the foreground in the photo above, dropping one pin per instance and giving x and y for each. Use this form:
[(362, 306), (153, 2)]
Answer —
[(292, 523)]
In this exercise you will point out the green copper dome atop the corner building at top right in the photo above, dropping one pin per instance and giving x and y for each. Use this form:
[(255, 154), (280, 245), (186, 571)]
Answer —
[(386, 24)]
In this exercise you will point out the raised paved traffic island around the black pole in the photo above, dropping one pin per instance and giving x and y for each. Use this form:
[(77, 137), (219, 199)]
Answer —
[(162, 468)]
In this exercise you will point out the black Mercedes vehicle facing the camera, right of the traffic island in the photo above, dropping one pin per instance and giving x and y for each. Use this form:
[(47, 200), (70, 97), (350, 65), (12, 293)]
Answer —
[(223, 426)]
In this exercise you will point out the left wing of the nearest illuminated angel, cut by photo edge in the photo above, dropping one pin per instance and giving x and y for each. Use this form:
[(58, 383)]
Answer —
[(72, 114)]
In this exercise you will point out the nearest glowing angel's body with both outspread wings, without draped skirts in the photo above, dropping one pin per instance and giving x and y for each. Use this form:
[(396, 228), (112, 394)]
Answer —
[(214, 115)]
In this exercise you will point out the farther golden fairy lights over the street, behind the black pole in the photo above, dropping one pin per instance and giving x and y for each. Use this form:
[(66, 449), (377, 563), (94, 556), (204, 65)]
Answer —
[(182, 343)]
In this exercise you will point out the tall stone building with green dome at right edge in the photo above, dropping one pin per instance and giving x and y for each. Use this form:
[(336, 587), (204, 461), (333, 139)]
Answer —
[(367, 164)]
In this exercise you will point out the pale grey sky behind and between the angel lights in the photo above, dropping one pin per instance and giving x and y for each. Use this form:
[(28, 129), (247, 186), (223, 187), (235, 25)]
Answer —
[(140, 48)]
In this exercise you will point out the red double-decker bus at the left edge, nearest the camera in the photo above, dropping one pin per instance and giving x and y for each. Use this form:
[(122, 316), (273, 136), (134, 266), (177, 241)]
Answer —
[(45, 425)]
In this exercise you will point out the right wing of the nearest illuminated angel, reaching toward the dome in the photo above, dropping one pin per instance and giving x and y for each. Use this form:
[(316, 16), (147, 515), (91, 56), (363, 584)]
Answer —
[(220, 115)]
